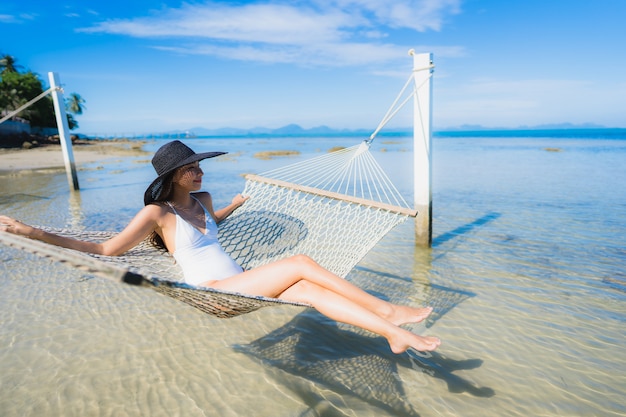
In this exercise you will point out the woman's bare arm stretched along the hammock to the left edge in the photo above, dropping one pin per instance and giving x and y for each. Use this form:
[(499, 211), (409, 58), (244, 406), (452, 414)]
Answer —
[(146, 221)]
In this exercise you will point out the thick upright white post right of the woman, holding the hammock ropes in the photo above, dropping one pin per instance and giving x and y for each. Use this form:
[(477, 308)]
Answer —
[(422, 138)]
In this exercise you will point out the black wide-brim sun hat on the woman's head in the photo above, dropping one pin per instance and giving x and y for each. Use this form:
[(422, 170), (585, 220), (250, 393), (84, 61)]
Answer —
[(169, 157)]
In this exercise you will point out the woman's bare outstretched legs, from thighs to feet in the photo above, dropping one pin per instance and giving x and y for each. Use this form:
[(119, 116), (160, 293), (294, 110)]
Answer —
[(301, 279)]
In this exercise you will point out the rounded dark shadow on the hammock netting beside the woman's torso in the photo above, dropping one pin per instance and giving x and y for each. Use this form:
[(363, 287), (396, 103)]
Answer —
[(260, 235)]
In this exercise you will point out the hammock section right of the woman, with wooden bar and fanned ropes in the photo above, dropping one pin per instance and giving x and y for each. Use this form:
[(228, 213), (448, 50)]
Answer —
[(334, 208)]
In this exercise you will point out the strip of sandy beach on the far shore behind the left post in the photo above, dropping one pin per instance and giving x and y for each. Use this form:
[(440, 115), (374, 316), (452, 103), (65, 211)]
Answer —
[(51, 156)]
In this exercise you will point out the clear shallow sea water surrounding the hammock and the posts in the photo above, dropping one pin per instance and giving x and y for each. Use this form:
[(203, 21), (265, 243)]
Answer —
[(526, 274)]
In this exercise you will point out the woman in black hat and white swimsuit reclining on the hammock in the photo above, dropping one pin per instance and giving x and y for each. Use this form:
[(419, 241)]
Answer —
[(182, 220)]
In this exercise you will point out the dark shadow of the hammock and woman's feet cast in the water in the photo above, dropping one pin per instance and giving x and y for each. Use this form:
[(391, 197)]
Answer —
[(355, 364)]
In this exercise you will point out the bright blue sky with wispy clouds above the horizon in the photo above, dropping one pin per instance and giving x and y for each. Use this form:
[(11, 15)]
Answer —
[(154, 66)]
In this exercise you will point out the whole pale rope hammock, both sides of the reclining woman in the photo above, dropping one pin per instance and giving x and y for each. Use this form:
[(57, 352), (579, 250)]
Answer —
[(334, 208)]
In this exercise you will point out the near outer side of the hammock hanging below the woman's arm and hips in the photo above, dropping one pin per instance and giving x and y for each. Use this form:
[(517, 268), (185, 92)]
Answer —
[(222, 304)]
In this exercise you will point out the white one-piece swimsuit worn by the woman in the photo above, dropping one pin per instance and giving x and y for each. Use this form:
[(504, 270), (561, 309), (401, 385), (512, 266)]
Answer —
[(200, 255)]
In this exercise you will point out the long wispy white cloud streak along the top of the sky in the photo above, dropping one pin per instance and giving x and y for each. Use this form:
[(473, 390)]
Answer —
[(329, 33)]
